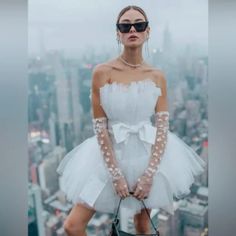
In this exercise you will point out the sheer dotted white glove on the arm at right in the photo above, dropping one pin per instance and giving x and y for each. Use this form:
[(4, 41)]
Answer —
[(144, 184)]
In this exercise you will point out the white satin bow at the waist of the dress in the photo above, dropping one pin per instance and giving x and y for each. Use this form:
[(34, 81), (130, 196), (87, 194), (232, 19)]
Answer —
[(144, 129)]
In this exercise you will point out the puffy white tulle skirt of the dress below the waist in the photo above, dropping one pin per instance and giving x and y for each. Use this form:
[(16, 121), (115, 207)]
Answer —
[(85, 179)]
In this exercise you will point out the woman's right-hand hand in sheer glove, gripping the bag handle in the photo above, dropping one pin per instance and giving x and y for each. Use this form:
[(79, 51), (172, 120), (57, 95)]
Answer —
[(143, 187)]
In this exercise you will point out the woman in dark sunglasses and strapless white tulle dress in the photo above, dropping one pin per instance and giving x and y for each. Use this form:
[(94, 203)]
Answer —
[(128, 153)]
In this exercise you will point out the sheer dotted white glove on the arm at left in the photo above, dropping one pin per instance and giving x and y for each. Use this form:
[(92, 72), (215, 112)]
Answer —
[(104, 141)]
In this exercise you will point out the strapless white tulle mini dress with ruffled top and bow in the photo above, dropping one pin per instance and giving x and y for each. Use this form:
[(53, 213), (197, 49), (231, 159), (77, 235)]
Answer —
[(84, 177)]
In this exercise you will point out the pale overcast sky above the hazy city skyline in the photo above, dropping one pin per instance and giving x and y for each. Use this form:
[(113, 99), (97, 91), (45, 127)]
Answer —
[(77, 24)]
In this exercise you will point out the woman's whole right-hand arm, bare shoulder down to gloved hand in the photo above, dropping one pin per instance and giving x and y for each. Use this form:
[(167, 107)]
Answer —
[(144, 183)]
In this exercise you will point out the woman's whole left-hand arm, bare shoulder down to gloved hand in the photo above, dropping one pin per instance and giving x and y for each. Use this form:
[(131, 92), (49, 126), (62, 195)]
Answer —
[(100, 127)]
